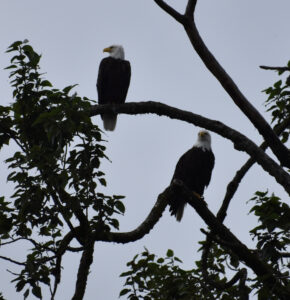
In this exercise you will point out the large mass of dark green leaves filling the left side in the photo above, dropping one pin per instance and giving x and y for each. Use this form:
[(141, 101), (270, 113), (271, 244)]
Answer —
[(55, 170)]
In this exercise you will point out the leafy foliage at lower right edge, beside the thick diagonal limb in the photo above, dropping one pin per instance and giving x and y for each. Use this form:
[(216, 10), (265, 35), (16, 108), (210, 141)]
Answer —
[(272, 236)]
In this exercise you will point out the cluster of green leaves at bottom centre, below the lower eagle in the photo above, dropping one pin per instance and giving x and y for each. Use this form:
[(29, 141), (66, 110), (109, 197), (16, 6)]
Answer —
[(150, 277)]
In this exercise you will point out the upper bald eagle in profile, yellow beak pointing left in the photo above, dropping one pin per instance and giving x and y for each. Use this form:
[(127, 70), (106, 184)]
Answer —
[(113, 82)]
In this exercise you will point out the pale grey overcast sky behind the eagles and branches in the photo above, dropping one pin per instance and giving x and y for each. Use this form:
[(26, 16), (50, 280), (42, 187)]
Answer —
[(144, 149)]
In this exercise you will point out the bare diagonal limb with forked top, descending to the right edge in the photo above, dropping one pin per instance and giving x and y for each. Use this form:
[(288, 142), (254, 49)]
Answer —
[(281, 152)]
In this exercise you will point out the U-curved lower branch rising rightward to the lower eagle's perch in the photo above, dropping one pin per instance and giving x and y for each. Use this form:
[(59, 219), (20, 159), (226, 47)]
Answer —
[(144, 228)]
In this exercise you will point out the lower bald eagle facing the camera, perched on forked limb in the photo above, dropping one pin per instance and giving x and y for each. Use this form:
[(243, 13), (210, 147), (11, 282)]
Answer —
[(194, 169)]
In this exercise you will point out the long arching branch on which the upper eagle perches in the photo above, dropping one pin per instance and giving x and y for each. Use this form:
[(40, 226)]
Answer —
[(240, 141)]
